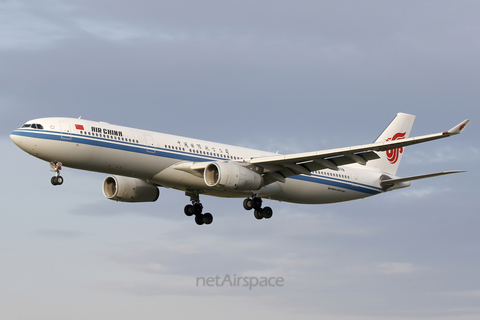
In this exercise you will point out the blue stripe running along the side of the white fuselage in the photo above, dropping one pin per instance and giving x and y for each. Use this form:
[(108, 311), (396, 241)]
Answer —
[(178, 155)]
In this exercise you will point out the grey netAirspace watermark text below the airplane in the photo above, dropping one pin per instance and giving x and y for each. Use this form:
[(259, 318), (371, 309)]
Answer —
[(235, 281)]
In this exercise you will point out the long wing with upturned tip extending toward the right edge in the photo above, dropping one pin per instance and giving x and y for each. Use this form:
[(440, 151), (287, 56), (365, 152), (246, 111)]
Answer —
[(277, 168)]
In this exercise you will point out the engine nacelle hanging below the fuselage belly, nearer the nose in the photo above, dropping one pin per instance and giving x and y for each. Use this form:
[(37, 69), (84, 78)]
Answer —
[(126, 189)]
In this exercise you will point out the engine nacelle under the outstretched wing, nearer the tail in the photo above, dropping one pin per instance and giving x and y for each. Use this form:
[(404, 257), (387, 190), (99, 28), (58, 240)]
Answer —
[(231, 176)]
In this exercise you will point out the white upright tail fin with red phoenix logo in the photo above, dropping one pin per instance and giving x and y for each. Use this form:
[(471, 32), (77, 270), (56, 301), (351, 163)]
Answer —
[(398, 129)]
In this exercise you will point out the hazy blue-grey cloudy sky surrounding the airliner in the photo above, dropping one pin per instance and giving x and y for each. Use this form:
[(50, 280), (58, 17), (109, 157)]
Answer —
[(286, 76)]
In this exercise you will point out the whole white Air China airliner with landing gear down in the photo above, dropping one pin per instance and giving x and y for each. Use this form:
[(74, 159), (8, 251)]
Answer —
[(139, 162)]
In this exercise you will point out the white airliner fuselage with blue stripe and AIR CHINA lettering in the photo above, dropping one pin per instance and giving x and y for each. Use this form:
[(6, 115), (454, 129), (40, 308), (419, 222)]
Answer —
[(152, 156)]
